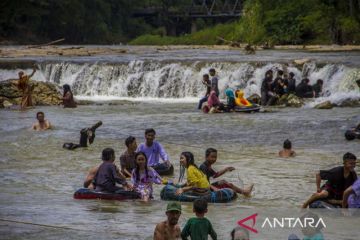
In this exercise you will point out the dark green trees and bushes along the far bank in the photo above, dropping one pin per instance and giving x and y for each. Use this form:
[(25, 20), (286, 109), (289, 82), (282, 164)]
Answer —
[(113, 21)]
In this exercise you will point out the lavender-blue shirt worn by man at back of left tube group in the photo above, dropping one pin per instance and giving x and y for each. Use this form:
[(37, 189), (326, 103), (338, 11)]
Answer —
[(153, 153)]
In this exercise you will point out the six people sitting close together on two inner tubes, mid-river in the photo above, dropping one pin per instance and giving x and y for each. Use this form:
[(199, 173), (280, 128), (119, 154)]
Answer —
[(139, 164)]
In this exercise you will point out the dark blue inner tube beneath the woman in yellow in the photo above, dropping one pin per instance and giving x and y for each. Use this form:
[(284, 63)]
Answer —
[(222, 196)]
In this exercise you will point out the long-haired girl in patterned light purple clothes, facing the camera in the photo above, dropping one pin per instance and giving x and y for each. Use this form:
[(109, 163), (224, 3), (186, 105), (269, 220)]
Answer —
[(143, 177)]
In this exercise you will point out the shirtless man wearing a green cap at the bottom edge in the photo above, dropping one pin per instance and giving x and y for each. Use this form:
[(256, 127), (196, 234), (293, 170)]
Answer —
[(169, 229)]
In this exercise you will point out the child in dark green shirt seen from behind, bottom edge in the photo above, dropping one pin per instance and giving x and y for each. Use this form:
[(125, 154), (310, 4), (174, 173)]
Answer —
[(198, 227)]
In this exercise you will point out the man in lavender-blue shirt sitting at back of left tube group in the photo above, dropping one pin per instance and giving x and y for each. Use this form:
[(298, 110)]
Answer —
[(153, 150)]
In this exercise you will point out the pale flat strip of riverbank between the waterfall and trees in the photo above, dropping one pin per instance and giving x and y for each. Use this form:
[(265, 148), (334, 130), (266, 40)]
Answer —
[(90, 50)]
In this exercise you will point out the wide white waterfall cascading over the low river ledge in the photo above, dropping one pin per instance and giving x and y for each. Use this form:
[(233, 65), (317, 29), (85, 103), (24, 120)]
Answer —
[(182, 80)]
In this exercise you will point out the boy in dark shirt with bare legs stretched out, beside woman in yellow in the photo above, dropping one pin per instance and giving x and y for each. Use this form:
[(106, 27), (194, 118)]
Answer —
[(210, 159)]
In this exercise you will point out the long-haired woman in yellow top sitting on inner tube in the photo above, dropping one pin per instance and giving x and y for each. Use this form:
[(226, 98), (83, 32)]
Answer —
[(196, 179)]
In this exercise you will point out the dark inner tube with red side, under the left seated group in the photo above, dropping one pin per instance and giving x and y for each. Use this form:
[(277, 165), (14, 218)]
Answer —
[(85, 193)]
